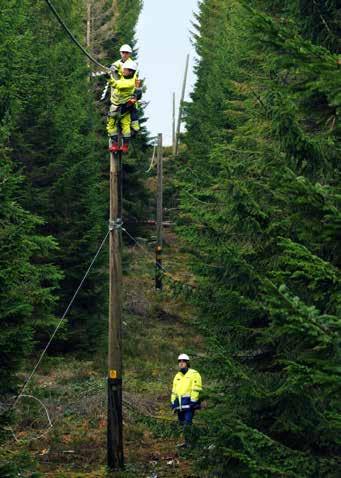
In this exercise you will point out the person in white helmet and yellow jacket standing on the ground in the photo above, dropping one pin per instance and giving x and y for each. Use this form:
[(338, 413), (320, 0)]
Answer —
[(185, 400)]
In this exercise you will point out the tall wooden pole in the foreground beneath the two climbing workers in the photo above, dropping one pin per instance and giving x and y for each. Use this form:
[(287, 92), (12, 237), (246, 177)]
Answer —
[(115, 427)]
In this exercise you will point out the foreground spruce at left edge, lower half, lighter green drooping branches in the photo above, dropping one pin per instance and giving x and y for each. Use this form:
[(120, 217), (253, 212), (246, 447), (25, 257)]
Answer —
[(28, 280)]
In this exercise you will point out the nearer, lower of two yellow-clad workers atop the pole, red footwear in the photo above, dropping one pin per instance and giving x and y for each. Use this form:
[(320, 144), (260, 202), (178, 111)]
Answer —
[(123, 100)]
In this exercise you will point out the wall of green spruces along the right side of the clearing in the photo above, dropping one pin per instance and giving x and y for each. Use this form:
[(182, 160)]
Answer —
[(260, 212)]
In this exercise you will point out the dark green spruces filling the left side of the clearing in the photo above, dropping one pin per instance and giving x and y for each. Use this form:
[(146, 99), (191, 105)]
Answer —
[(54, 179)]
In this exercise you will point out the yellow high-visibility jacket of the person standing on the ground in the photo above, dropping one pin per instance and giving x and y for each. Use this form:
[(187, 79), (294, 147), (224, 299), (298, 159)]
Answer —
[(186, 389)]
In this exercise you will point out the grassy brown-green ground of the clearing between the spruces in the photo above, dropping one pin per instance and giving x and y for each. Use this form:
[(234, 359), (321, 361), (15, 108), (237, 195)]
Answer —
[(156, 327)]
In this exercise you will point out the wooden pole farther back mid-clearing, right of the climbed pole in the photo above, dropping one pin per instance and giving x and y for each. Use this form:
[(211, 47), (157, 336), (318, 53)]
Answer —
[(158, 248)]
